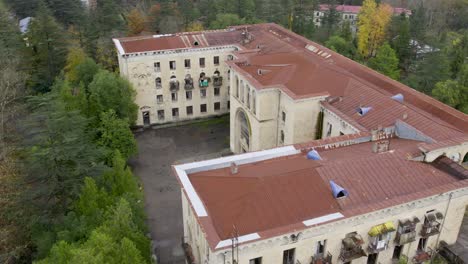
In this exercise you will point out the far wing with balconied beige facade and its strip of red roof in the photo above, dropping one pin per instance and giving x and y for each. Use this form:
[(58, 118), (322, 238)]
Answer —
[(174, 85)]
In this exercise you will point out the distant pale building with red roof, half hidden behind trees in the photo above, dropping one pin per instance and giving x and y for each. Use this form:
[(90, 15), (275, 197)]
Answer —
[(350, 13)]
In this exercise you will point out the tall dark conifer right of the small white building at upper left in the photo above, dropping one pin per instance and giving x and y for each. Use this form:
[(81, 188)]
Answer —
[(48, 47)]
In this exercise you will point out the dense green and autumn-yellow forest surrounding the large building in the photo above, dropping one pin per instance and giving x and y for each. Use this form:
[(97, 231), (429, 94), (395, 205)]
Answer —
[(66, 192)]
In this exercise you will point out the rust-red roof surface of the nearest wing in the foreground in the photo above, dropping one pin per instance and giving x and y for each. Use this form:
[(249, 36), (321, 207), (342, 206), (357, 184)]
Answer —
[(275, 196)]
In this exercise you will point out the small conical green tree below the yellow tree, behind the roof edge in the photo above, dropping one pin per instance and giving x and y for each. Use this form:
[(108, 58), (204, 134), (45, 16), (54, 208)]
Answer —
[(386, 62)]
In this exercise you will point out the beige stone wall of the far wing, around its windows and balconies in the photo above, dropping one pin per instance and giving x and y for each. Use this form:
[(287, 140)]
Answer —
[(140, 71)]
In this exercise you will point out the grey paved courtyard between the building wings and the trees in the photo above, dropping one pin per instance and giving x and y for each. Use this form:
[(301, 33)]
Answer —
[(158, 149)]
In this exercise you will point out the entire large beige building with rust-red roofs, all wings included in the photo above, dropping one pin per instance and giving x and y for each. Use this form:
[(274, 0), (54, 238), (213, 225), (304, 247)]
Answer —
[(340, 162)]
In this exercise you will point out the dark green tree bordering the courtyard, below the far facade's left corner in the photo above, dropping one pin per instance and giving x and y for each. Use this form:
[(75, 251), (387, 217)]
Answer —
[(114, 134)]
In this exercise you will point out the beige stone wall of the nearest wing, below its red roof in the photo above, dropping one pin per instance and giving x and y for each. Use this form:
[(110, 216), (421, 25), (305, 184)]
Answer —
[(271, 250)]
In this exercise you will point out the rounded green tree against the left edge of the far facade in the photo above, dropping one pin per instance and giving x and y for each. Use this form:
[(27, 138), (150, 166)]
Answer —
[(111, 92)]
